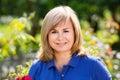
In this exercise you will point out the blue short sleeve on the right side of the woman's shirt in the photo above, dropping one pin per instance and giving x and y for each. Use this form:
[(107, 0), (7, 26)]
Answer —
[(100, 70)]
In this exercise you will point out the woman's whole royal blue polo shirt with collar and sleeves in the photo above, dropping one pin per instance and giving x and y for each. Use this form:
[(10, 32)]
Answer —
[(79, 68)]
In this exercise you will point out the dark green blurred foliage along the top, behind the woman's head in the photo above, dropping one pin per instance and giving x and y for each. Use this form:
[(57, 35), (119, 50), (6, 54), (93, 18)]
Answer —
[(84, 8)]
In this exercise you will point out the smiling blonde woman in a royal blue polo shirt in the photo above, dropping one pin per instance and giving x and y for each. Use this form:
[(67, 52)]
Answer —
[(62, 56)]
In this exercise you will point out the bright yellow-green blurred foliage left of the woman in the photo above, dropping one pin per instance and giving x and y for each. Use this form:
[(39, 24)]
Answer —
[(14, 38)]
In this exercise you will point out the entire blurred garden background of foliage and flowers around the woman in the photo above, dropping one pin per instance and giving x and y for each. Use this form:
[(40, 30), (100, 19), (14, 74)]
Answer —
[(20, 24)]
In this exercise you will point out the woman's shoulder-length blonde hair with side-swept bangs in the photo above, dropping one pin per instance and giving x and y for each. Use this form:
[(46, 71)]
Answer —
[(52, 18)]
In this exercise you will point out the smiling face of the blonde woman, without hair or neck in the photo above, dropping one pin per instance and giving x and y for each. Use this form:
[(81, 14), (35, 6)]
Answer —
[(61, 37)]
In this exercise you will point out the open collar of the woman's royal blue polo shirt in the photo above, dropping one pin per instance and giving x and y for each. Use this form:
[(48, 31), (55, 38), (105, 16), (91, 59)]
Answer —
[(73, 62)]
